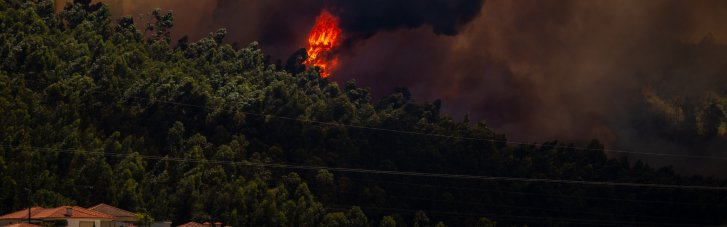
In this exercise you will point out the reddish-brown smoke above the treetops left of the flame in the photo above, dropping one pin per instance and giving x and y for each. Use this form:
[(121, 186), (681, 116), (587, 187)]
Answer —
[(279, 26)]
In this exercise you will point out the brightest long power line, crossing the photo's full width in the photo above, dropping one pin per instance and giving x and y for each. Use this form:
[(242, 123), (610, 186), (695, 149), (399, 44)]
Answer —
[(387, 172)]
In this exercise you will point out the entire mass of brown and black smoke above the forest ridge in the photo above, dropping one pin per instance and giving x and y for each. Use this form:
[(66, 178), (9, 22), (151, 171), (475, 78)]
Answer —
[(536, 70)]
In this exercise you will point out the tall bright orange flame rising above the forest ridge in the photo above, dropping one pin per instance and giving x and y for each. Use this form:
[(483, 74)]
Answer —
[(322, 41)]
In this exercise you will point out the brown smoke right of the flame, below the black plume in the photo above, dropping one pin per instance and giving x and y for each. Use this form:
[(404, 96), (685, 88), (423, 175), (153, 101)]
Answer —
[(568, 70)]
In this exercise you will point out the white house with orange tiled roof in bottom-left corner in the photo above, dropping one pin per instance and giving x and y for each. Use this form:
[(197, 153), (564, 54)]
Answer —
[(73, 216)]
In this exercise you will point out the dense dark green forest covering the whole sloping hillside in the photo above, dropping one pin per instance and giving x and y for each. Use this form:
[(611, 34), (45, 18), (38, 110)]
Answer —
[(96, 109)]
